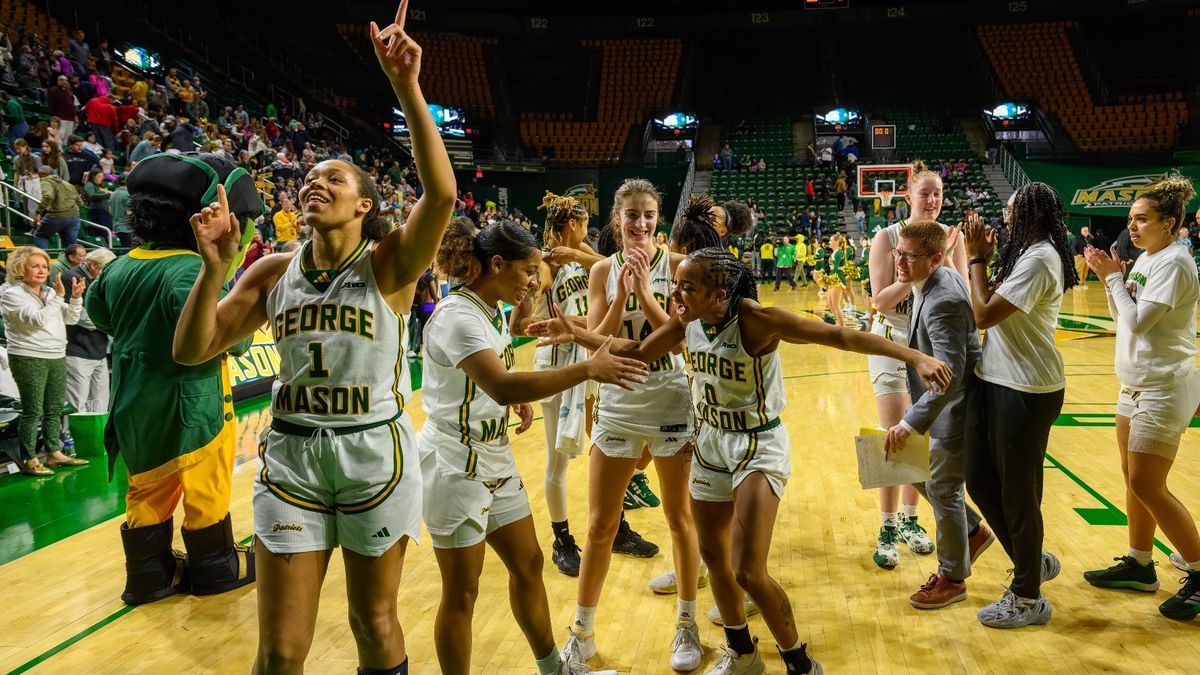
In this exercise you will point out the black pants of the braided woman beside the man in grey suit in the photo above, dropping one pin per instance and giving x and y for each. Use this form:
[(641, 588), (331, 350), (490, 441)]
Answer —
[(1006, 444)]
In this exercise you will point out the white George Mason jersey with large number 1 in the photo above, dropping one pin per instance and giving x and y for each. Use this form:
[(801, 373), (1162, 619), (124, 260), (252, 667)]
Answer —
[(341, 350)]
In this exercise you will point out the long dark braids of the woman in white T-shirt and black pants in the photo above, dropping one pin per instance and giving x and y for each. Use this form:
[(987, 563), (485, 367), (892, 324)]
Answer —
[(1037, 214)]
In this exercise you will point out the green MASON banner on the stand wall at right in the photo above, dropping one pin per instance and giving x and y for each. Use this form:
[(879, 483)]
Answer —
[(1105, 192)]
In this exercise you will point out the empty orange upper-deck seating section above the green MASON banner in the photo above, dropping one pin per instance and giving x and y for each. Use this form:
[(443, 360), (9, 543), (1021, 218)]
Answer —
[(1036, 62)]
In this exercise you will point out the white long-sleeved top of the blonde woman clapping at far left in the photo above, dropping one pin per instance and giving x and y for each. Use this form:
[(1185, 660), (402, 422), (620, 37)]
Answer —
[(38, 327)]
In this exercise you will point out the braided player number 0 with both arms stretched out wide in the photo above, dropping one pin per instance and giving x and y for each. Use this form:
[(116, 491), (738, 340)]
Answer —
[(741, 461)]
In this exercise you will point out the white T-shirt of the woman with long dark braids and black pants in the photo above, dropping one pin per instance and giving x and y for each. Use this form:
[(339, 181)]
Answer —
[(1019, 353)]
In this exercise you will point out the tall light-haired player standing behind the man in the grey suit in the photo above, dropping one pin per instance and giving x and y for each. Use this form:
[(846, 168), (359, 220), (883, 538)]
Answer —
[(893, 302)]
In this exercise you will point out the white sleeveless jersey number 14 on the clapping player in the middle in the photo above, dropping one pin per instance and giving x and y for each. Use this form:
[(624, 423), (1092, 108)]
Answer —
[(664, 403)]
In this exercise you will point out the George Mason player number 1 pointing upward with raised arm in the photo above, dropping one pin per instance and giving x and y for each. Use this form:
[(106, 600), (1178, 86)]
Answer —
[(339, 462)]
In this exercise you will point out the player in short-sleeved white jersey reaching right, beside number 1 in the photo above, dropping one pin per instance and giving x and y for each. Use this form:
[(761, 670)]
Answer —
[(473, 493)]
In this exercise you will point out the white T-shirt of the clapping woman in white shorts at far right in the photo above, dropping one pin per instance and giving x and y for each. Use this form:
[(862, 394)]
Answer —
[(1166, 355)]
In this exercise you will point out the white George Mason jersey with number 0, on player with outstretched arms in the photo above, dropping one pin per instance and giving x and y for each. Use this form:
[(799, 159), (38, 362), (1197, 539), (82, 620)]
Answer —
[(733, 390)]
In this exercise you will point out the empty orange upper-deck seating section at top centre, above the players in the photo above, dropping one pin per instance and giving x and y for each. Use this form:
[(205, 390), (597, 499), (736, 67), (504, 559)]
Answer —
[(638, 79)]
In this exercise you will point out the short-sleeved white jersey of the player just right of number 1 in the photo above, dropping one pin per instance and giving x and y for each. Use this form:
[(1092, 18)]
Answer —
[(463, 325)]
